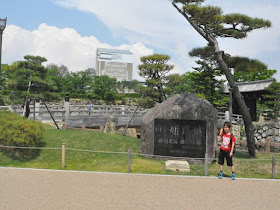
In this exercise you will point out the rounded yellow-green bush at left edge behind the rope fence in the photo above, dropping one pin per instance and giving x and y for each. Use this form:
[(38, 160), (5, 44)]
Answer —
[(16, 130)]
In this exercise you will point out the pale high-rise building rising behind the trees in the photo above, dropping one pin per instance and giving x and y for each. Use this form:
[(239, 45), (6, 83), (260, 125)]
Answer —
[(114, 63)]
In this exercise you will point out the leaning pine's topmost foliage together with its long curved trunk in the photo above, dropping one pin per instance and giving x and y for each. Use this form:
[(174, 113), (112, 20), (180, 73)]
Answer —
[(211, 23)]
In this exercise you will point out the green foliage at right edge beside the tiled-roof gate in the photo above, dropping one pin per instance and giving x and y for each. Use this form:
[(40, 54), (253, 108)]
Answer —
[(271, 101)]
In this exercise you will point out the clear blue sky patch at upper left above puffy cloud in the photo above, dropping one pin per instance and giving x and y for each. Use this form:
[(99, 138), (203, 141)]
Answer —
[(29, 14)]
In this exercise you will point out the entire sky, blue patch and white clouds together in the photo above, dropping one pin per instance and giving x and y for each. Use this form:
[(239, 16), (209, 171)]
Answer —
[(68, 32)]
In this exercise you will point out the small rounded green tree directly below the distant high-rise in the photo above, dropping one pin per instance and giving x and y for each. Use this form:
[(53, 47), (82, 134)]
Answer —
[(104, 88)]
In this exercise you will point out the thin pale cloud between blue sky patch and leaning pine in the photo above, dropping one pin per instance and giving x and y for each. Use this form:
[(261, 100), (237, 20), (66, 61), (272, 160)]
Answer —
[(155, 23)]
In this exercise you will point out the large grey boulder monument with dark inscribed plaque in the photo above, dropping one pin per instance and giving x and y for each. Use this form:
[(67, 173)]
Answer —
[(182, 126)]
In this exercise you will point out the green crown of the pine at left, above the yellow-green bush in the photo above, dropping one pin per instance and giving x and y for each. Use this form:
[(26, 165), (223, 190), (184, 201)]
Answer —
[(43, 82)]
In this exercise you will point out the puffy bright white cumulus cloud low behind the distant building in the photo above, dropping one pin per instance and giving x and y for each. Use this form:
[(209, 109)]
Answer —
[(61, 46)]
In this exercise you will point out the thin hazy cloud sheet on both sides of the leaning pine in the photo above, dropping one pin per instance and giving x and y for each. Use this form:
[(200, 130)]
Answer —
[(157, 24)]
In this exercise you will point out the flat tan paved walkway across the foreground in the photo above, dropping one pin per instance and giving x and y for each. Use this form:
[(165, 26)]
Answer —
[(47, 189)]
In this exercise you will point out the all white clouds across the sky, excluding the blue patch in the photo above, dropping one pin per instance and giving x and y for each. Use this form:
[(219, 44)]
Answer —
[(146, 25)]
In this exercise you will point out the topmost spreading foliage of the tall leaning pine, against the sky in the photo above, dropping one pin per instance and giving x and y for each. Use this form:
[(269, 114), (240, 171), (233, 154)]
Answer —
[(212, 23)]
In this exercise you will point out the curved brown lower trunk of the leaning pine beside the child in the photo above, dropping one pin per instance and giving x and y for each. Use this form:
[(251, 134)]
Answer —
[(241, 103)]
